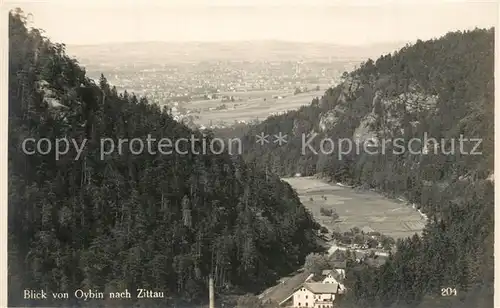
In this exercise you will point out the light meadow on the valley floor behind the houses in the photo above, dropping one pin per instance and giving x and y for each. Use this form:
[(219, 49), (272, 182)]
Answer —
[(357, 208)]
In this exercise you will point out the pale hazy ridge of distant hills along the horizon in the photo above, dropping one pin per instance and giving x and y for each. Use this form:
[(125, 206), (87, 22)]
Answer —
[(171, 52)]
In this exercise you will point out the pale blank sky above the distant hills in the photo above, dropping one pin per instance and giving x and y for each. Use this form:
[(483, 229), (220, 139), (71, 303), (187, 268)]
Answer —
[(101, 21)]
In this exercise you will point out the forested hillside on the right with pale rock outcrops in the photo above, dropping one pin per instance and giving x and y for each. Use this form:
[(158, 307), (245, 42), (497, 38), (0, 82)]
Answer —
[(442, 89)]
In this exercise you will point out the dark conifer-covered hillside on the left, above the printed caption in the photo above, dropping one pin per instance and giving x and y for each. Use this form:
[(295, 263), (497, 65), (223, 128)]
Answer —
[(161, 222)]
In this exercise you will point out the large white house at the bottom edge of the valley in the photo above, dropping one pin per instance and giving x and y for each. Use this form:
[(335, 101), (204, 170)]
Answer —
[(313, 294)]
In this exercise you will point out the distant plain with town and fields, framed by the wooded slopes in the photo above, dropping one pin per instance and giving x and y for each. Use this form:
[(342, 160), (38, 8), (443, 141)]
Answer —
[(195, 92)]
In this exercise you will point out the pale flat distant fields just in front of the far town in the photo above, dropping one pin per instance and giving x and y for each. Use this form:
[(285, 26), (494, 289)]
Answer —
[(254, 105)]
